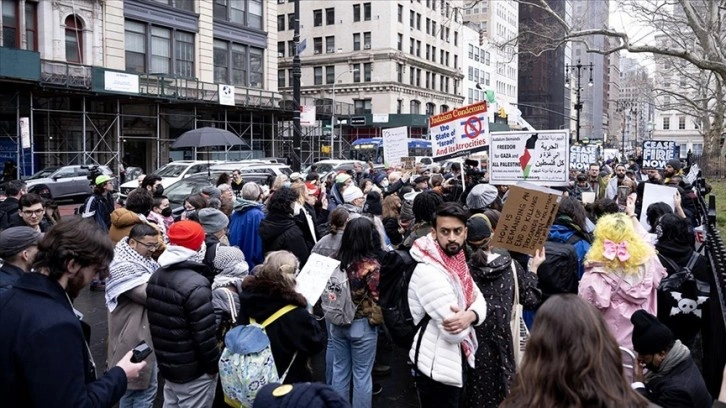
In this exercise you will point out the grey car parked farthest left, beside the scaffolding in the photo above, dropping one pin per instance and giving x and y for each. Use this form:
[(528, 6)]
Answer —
[(65, 182)]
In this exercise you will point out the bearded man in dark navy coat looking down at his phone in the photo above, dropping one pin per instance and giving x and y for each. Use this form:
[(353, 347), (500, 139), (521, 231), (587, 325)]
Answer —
[(45, 356)]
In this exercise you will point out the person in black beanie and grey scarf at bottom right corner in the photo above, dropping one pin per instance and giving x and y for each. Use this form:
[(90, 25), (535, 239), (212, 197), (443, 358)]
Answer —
[(672, 380)]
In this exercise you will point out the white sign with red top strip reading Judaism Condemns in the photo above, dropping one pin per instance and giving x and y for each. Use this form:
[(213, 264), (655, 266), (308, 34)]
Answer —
[(459, 132)]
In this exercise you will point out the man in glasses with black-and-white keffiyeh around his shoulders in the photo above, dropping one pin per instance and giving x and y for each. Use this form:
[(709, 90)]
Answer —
[(128, 321)]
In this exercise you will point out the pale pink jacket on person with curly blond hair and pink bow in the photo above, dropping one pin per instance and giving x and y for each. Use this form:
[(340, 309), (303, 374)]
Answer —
[(619, 295)]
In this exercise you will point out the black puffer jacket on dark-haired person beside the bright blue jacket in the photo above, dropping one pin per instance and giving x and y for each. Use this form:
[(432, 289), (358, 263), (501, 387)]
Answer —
[(281, 232)]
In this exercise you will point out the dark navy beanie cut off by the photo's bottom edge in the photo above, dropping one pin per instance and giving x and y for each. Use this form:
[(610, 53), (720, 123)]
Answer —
[(301, 395)]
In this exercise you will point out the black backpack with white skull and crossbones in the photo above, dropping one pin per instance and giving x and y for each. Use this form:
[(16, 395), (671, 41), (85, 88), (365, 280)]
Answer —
[(682, 298)]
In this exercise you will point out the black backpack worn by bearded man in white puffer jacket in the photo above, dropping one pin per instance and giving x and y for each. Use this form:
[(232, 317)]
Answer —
[(397, 267)]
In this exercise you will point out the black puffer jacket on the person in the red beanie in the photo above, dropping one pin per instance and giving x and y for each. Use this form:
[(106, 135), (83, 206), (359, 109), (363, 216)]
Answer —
[(181, 318)]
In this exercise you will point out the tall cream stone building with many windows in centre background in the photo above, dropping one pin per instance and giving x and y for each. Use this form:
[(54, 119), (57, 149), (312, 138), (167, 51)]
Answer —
[(396, 58)]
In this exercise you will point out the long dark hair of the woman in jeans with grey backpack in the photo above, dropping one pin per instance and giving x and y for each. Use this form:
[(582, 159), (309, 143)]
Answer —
[(360, 240)]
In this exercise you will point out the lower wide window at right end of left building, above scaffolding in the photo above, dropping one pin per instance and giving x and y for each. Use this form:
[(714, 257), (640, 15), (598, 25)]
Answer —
[(238, 64)]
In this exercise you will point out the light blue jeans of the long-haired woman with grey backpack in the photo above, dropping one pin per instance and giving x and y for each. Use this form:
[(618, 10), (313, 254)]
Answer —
[(354, 351)]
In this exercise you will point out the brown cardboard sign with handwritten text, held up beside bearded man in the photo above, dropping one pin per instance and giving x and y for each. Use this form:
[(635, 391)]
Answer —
[(526, 218)]
